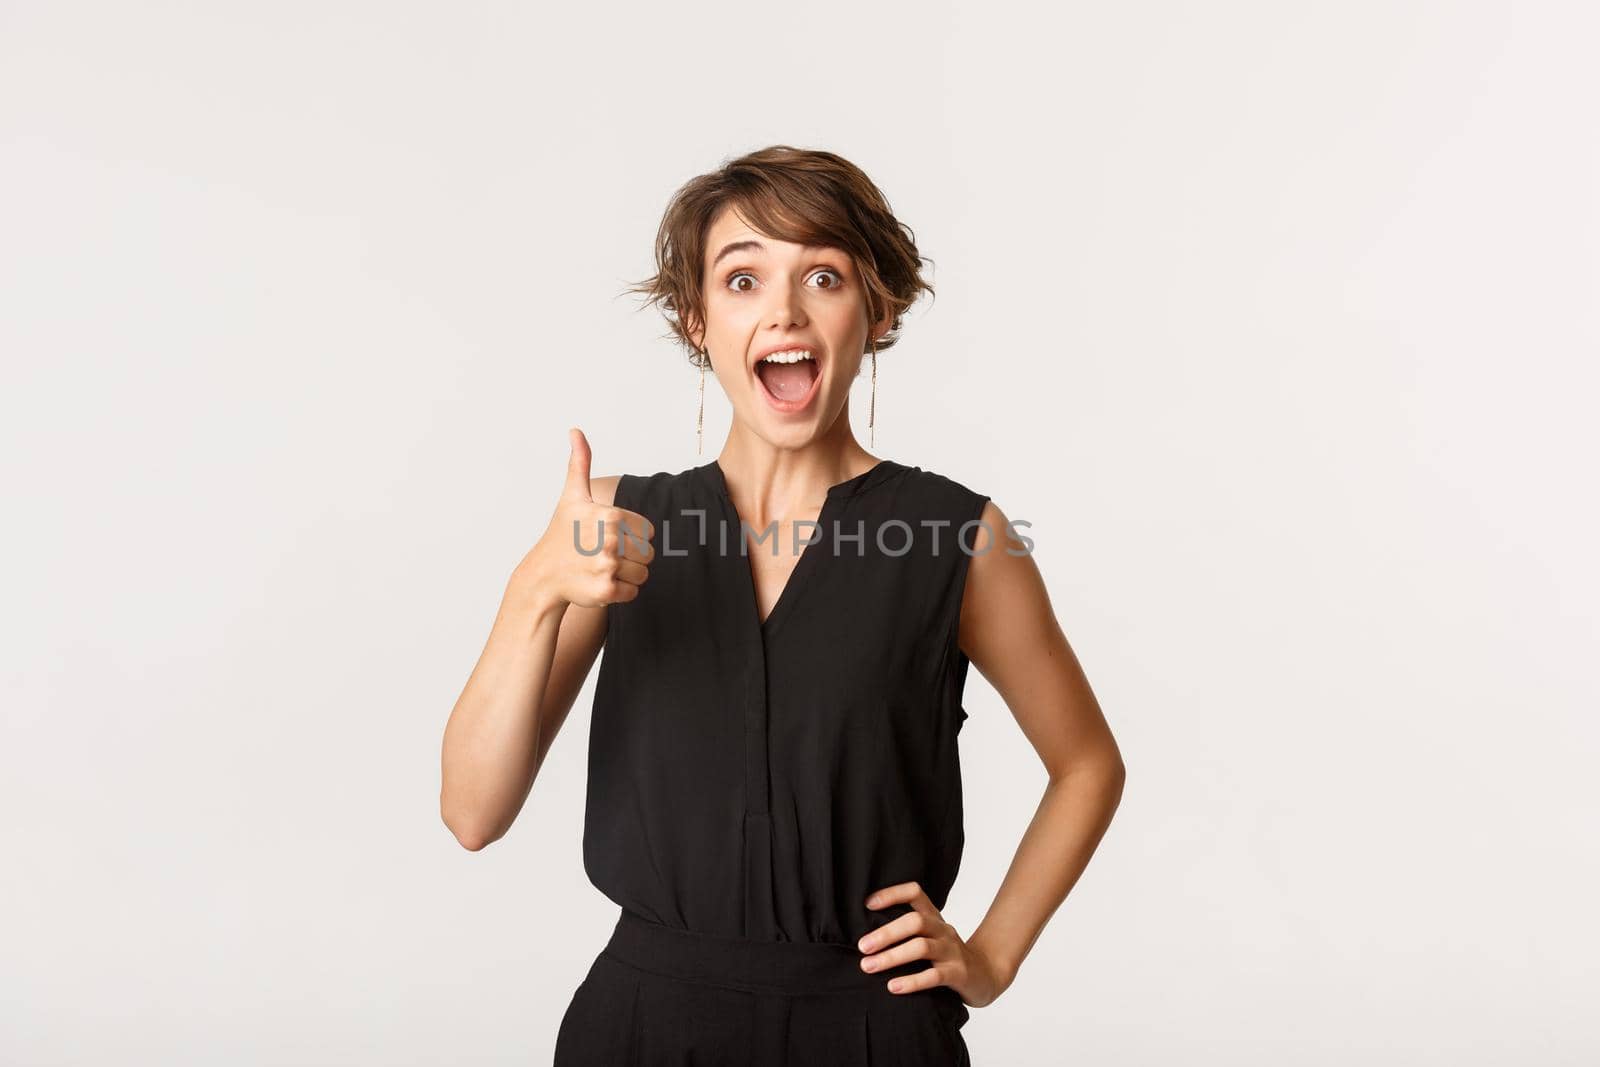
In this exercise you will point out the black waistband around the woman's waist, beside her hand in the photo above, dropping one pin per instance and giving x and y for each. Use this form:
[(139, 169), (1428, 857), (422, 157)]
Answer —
[(782, 967)]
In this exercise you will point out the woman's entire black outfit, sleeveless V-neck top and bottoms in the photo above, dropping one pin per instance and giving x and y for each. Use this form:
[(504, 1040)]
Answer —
[(753, 783)]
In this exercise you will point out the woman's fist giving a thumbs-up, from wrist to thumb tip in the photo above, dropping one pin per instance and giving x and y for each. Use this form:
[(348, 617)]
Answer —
[(593, 554)]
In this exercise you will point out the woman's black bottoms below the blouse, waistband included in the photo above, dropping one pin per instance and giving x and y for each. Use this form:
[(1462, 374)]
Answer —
[(660, 996)]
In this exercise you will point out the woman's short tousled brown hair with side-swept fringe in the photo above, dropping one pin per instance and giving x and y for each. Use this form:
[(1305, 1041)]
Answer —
[(802, 196)]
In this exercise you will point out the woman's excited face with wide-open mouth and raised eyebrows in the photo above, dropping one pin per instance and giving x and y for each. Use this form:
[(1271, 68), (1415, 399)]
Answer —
[(764, 297)]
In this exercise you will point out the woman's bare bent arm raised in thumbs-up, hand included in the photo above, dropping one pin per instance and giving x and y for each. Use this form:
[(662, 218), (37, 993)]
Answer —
[(538, 655)]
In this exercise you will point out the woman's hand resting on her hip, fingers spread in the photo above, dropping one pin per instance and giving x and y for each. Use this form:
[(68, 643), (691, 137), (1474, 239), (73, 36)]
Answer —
[(924, 935)]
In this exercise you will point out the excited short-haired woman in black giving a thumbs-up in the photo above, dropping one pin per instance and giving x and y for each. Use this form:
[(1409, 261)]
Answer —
[(774, 773)]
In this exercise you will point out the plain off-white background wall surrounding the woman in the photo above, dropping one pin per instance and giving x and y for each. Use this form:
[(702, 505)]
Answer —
[(1279, 322)]
